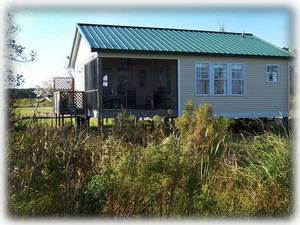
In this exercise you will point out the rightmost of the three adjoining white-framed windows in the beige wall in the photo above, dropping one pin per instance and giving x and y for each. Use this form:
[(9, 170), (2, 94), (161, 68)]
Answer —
[(237, 79)]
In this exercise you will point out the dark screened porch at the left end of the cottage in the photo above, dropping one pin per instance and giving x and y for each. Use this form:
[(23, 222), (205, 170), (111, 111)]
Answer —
[(139, 86)]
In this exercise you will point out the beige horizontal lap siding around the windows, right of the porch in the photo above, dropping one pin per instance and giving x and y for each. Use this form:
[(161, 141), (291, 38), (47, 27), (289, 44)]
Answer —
[(260, 96)]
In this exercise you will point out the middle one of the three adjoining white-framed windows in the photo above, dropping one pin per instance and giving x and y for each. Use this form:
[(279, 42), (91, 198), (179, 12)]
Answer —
[(220, 79)]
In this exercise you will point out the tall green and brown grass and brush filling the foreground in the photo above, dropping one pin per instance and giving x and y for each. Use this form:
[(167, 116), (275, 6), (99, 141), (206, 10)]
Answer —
[(193, 167)]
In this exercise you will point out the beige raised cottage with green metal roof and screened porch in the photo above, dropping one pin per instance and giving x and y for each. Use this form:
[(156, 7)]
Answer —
[(156, 71)]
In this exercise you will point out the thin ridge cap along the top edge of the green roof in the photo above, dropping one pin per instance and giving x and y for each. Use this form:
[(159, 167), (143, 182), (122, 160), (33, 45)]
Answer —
[(167, 28)]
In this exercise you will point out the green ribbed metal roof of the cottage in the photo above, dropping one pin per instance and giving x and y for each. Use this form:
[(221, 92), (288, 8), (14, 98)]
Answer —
[(115, 38)]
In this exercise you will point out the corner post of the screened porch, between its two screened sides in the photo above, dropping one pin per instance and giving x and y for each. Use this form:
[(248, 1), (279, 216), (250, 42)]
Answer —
[(99, 93)]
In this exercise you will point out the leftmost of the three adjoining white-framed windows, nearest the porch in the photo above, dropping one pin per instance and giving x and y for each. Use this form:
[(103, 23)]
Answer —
[(202, 79)]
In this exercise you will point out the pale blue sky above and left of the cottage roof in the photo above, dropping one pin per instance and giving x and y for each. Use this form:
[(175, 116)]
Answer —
[(50, 31)]
